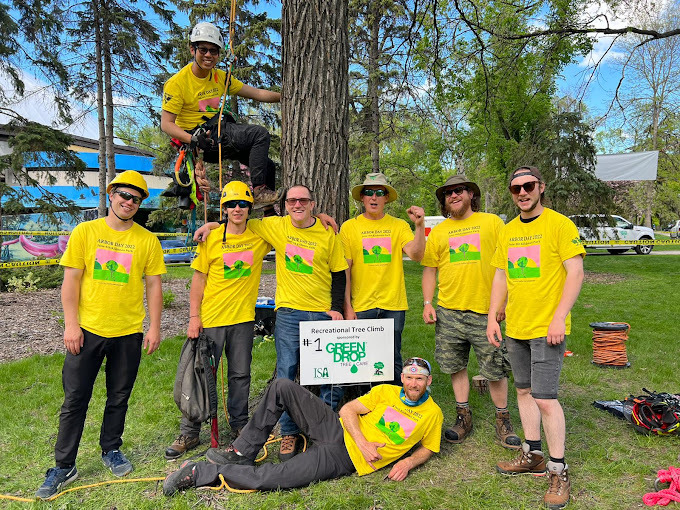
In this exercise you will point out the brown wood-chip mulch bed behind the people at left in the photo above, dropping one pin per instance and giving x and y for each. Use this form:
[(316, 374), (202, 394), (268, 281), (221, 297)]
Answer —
[(32, 322)]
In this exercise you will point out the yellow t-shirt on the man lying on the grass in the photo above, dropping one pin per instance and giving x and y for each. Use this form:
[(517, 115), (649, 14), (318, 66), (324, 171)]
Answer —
[(399, 426)]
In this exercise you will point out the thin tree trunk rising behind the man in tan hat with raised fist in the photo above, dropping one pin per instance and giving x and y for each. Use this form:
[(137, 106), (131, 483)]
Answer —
[(373, 83)]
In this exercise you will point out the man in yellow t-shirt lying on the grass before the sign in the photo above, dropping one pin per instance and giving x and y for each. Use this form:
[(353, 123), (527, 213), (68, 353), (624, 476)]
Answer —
[(370, 432)]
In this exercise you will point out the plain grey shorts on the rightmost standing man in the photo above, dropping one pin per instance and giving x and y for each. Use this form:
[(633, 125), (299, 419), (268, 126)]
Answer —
[(537, 365)]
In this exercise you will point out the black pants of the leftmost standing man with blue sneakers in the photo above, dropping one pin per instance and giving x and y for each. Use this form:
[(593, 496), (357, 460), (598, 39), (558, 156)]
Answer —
[(78, 376)]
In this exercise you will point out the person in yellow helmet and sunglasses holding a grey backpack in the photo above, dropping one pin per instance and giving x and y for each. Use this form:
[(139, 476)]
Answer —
[(224, 289)]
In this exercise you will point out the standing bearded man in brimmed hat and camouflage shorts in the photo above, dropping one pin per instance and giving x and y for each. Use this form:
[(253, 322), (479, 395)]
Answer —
[(459, 250)]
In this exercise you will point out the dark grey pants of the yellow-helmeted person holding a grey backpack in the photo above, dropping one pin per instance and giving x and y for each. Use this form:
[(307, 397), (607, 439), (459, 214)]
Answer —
[(237, 342)]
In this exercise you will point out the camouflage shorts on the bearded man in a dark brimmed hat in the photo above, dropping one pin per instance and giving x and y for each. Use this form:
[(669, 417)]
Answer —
[(455, 332)]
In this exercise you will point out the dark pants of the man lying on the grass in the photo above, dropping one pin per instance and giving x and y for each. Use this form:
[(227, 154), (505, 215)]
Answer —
[(326, 458)]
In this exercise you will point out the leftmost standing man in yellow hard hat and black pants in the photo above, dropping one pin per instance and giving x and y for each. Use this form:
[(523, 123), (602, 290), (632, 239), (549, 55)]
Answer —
[(103, 300)]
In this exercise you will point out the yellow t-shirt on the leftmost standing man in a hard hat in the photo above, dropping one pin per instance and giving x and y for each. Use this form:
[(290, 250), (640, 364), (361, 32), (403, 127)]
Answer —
[(111, 300)]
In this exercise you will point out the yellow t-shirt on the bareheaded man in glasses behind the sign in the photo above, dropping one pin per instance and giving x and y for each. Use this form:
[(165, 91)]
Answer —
[(305, 258)]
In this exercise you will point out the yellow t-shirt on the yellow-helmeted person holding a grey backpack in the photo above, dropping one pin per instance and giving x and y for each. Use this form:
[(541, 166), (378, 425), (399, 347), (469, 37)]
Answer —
[(233, 270)]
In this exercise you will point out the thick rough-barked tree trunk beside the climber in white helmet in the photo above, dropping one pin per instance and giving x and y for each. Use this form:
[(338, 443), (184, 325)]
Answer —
[(314, 104)]
